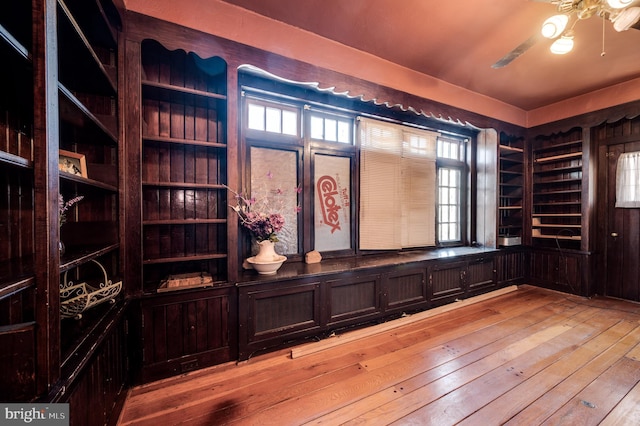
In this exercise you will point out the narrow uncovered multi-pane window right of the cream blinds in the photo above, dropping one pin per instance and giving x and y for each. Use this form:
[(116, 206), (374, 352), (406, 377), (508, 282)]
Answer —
[(451, 167)]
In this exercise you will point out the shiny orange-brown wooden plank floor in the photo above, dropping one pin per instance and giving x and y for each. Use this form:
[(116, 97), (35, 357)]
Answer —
[(524, 358)]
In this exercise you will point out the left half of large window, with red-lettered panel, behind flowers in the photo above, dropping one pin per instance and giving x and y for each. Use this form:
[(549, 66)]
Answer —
[(279, 133)]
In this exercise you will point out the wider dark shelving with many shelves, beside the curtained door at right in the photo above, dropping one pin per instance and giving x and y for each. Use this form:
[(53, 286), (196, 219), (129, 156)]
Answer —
[(556, 217)]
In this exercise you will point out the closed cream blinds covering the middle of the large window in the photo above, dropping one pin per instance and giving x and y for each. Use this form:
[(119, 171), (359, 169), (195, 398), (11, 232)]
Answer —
[(397, 186)]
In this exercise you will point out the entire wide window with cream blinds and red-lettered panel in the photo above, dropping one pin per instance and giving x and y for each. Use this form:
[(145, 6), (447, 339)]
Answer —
[(409, 183)]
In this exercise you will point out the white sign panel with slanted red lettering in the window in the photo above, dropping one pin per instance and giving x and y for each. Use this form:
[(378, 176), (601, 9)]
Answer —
[(332, 201)]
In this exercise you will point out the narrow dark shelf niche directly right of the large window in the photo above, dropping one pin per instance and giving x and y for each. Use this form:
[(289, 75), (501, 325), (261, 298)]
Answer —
[(511, 190)]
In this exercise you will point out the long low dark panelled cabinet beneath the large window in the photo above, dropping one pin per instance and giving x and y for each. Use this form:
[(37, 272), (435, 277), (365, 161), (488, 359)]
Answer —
[(274, 312)]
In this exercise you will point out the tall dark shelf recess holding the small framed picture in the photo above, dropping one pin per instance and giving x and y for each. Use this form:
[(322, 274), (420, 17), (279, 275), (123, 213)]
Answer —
[(88, 138)]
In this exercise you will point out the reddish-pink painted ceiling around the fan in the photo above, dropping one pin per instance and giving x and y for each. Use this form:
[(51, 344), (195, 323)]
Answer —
[(457, 41)]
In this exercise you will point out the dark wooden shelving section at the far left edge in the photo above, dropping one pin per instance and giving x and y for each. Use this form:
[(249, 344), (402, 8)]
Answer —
[(18, 279)]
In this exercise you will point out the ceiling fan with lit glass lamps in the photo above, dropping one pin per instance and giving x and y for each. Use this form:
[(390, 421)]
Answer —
[(624, 14)]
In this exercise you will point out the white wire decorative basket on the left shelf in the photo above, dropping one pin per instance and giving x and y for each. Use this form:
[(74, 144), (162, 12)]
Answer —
[(77, 298)]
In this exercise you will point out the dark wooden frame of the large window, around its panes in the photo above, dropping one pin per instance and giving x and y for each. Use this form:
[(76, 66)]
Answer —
[(304, 98)]
